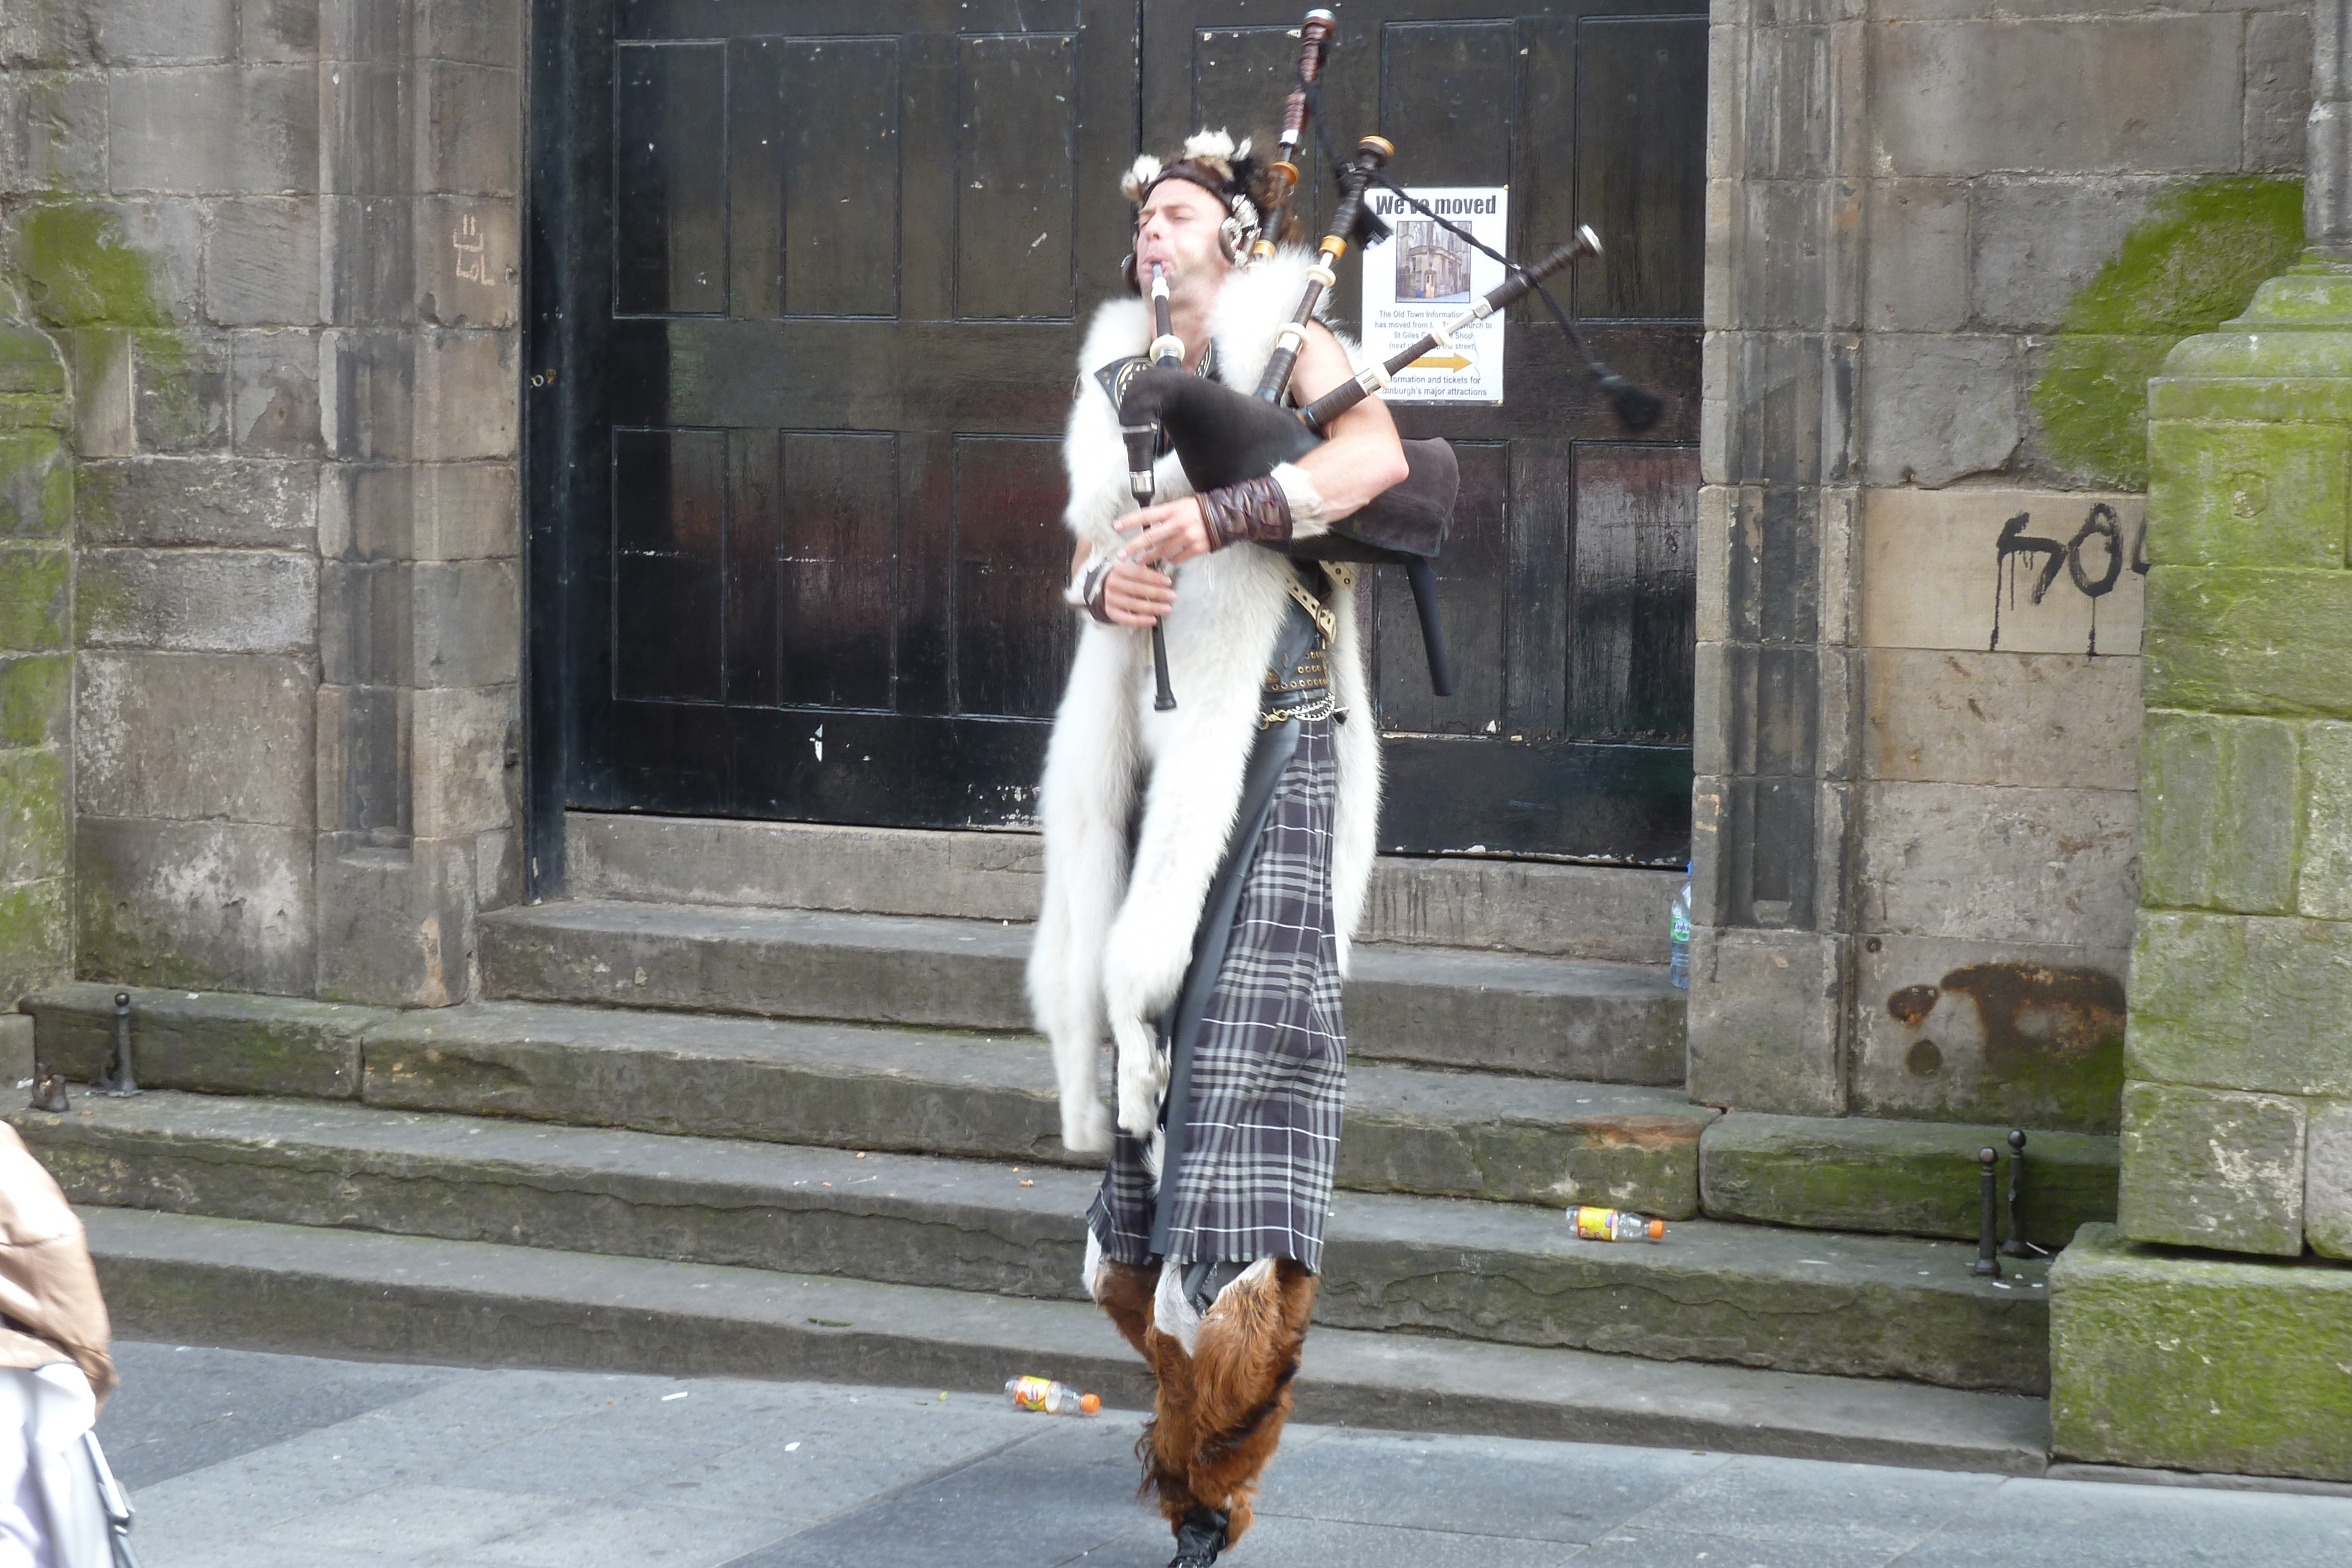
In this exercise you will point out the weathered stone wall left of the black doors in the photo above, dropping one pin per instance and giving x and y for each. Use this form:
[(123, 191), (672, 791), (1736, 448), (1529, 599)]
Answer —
[(279, 253)]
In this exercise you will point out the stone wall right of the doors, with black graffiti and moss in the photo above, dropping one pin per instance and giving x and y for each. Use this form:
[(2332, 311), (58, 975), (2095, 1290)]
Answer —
[(1949, 243)]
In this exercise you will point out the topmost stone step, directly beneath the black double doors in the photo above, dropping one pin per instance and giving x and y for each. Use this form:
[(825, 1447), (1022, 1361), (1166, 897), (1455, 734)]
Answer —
[(1612, 913)]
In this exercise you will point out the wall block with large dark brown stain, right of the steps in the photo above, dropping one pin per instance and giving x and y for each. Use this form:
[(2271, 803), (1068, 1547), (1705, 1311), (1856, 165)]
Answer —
[(2010, 1033)]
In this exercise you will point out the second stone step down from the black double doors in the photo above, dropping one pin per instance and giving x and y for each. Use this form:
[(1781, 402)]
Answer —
[(1499, 1012)]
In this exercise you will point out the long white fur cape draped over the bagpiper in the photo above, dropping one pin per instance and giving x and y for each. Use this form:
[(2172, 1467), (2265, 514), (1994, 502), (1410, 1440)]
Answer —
[(1114, 939)]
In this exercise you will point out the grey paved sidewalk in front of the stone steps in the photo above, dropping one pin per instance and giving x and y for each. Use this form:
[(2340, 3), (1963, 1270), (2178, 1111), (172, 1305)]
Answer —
[(248, 1461)]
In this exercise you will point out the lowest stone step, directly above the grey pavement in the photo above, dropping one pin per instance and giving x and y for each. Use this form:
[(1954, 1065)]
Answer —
[(408, 1299)]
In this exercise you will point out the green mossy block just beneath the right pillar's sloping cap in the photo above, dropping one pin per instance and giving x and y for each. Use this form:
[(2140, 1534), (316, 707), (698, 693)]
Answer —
[(2266, 495)]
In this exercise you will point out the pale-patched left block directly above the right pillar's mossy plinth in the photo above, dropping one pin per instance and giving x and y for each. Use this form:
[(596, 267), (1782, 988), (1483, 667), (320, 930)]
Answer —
[(2214, 1170)]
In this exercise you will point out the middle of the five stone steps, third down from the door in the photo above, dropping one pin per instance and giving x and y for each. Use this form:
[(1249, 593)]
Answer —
[(1410, 1130)]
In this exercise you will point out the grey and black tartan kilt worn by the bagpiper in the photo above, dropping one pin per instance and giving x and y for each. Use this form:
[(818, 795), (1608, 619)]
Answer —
[(1271, 1059)]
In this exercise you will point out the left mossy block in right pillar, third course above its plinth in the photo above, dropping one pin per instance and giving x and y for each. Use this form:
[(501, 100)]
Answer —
[(2221, 800)]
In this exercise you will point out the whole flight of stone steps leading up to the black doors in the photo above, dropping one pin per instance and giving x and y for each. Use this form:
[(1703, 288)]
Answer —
[(855, 1170)]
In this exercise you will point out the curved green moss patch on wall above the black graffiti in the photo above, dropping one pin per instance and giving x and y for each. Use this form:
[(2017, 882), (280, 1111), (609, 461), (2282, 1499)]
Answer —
[(2189, 267)]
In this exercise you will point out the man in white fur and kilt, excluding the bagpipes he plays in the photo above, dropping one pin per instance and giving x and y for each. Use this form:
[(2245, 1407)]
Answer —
[(1208, 862)]
